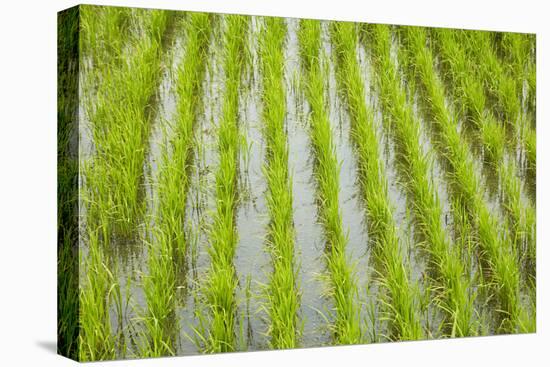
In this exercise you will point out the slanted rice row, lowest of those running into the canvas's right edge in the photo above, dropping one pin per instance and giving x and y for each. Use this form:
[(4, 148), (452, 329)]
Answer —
[(468, 89)]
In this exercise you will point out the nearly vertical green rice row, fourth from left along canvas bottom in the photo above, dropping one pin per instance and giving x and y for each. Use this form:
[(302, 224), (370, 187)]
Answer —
[(283, 297)]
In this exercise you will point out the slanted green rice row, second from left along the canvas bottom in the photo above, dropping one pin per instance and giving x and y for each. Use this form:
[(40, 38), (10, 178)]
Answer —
[(168, 243)]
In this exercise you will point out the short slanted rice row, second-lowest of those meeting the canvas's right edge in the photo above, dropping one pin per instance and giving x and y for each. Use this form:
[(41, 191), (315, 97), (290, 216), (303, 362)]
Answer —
[(502, 88)]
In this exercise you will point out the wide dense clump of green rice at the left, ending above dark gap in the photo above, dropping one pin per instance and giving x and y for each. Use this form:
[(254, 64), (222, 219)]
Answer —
[(120, 126)]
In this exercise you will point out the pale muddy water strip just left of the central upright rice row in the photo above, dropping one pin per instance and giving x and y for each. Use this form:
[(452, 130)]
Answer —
[(252, 262)]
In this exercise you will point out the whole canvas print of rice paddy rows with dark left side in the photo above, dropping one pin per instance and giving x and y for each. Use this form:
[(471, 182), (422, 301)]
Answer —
[(236, 183)]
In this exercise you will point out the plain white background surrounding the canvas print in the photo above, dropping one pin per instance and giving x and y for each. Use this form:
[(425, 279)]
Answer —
[(28, 181)]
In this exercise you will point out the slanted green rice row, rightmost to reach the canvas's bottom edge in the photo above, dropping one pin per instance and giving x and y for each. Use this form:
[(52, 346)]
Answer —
[(495, 247)]
